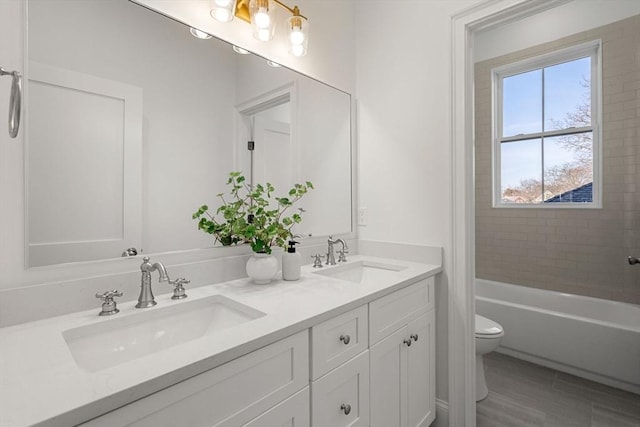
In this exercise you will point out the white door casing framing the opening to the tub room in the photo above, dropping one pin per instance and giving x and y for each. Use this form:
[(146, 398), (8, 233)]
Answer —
[(460, 250)]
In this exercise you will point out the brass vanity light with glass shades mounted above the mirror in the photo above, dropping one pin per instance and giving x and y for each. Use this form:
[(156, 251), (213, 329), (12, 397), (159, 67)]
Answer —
[(261, 14)]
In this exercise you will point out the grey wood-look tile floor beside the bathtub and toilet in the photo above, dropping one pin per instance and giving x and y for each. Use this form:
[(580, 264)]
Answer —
[(522, 394)]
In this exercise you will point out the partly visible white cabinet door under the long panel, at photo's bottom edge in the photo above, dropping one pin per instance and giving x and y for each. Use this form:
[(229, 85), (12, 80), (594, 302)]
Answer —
[(293, 412)]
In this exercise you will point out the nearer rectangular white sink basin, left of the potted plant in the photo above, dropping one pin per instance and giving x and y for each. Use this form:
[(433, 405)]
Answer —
[(118, 340)]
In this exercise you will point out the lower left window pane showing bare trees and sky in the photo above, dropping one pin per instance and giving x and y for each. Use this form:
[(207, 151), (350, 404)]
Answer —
[(521, 171)]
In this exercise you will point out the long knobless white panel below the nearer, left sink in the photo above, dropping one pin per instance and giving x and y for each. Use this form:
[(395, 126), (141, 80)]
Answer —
[(230, 395)]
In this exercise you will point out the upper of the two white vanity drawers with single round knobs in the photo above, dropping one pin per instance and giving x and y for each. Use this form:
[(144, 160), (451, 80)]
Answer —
[(337, 340)]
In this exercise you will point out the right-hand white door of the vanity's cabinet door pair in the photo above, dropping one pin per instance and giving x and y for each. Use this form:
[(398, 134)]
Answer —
[(421, 371)]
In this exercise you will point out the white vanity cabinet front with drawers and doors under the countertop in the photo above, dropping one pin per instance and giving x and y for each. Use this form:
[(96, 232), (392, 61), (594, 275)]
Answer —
[(371, 366)]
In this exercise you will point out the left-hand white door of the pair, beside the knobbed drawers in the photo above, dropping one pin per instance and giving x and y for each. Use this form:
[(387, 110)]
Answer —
[(388, 366)]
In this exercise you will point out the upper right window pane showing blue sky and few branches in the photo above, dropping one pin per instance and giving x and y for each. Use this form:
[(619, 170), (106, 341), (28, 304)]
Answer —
[(567, 95)]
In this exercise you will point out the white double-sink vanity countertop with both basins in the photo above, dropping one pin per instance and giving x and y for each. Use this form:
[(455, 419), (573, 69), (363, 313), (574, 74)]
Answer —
[(64, 370)]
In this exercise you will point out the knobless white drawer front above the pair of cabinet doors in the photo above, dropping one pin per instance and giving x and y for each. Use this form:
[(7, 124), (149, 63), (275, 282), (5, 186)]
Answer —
[(393, 311)]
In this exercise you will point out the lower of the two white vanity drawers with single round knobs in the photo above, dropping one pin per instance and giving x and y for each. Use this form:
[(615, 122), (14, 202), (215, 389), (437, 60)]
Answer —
[(341, 398)]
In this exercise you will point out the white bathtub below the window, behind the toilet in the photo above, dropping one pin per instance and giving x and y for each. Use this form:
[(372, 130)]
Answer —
[(588, 337)]
